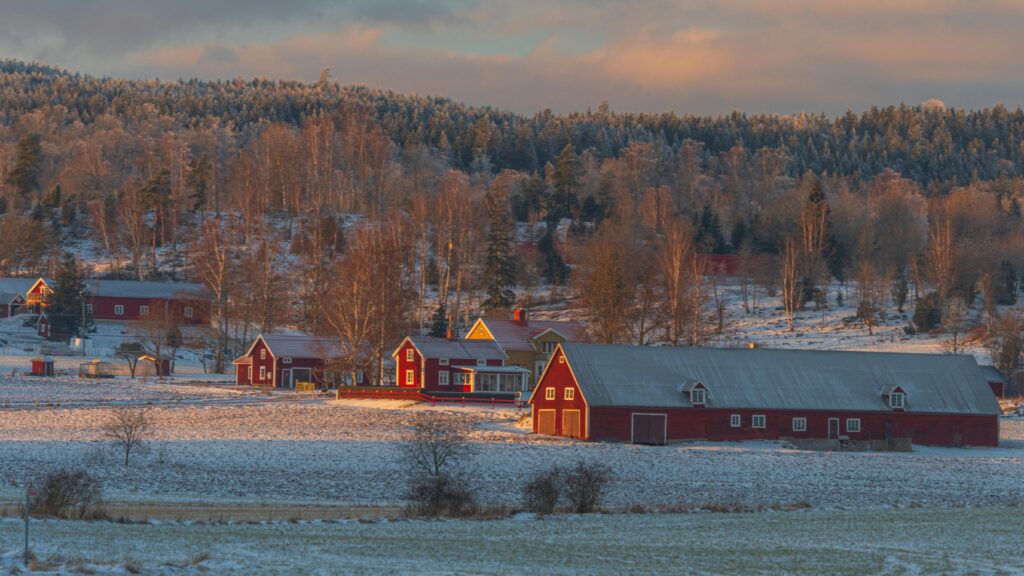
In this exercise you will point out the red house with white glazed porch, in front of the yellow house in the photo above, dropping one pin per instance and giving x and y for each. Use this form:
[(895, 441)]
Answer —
[(462, 366)]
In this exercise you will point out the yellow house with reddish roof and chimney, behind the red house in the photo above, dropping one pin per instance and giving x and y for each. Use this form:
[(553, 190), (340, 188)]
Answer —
[(528, 344)]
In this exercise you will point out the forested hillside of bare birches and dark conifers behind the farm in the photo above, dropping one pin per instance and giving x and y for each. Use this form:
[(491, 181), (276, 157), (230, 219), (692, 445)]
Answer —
[(375, 214)]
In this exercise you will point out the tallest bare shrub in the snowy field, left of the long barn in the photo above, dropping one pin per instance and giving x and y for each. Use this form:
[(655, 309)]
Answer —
[(434, 464)]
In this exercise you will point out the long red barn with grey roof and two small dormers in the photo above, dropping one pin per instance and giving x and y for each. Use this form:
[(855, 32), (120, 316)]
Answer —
[(653, 395)]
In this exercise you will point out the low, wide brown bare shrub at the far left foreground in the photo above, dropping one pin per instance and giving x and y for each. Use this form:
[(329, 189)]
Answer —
[(69, 496)]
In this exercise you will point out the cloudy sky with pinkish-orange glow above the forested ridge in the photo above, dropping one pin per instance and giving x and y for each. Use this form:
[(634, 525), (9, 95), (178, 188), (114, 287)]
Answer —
[(705, 58)]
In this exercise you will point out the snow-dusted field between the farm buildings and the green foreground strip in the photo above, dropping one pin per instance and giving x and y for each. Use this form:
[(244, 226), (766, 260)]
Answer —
[(212, 445)]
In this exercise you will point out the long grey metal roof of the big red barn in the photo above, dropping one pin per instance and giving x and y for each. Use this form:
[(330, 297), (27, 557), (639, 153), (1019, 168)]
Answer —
[(779, 380)]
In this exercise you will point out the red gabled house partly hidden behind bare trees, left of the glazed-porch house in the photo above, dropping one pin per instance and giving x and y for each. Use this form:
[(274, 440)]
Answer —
[(281, 361)]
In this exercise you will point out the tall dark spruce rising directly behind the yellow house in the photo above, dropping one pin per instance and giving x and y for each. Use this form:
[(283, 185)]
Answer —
[(500, 263)]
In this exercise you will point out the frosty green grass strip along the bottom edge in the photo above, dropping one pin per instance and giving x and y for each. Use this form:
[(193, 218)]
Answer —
[(889, 542)]
